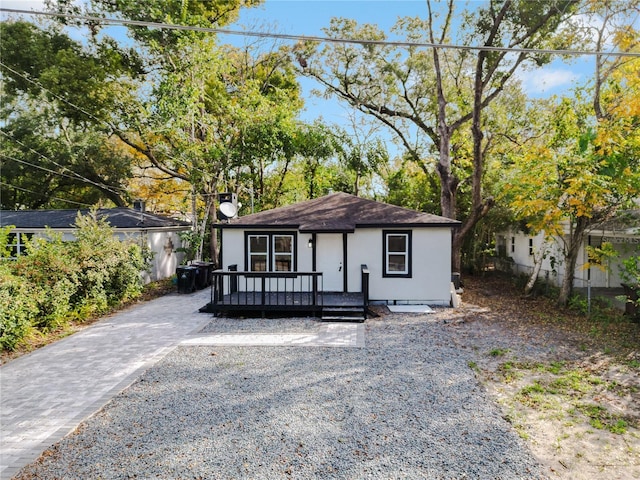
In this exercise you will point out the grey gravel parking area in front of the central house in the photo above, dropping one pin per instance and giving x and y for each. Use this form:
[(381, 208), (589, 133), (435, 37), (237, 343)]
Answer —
[(405, 406)]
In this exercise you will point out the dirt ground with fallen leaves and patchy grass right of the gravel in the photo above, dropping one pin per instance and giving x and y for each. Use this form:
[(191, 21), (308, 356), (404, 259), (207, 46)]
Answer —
[(569, 384)]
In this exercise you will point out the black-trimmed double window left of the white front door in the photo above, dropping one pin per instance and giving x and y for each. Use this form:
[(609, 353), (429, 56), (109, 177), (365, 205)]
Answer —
[(270, 252)]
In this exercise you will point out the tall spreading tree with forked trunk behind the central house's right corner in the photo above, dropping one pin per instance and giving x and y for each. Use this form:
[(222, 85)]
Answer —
[(427, 97)]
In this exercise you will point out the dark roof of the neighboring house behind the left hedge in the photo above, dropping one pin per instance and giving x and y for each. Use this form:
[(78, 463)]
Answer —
[(119, 218)]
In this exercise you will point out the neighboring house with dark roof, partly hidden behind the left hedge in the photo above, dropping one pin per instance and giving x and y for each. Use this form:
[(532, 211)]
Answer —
[(158, 233)]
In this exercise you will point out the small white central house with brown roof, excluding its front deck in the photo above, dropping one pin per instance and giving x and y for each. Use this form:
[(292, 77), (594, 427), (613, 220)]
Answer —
[(408, 253)]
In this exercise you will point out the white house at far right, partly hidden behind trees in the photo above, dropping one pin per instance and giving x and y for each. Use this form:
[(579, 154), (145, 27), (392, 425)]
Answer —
[(523, 249)]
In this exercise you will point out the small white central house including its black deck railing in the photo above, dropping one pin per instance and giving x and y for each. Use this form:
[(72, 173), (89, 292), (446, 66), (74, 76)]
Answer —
[(329, 248)]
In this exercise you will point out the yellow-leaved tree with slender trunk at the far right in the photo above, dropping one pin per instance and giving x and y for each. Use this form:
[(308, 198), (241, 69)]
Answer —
[(585, 167)]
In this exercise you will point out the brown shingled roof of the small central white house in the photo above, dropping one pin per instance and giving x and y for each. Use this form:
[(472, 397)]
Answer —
[(339, 212)]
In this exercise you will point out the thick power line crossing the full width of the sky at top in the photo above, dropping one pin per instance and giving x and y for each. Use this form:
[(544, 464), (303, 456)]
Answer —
[(317, 39)]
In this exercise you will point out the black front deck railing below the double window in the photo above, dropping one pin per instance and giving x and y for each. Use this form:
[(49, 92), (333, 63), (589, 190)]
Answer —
[(267, 289)]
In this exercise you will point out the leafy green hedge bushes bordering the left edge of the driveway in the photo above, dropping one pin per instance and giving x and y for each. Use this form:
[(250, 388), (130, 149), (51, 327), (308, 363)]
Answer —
[(58, 280)]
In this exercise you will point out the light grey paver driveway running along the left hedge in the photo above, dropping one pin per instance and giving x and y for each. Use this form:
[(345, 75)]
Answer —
[(45, 395)]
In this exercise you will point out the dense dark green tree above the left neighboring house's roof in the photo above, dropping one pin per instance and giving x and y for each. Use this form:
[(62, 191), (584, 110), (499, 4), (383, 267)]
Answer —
[(54, 150)]
